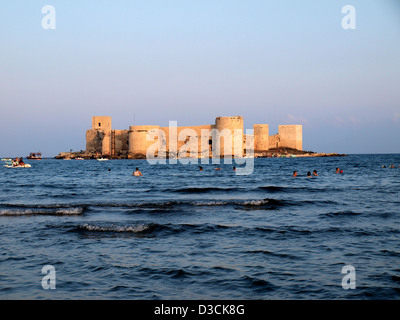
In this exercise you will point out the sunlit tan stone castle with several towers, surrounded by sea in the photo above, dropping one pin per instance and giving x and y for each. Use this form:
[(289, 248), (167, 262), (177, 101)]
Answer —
[(104, 141)]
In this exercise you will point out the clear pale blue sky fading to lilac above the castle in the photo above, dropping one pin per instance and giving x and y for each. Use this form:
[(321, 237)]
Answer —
[(148, 62)]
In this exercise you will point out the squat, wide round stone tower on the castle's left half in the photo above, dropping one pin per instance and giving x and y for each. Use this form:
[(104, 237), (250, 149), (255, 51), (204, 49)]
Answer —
[(138, 143)]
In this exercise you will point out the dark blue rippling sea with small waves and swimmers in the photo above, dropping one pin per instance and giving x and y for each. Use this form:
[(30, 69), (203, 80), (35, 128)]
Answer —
[(90, 230)]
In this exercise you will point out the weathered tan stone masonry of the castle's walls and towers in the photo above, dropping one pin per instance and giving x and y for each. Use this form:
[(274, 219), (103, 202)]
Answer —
[(102, 140)]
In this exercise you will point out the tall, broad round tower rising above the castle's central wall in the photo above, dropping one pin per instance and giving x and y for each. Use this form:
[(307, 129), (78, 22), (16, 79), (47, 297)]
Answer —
[(227, 128)]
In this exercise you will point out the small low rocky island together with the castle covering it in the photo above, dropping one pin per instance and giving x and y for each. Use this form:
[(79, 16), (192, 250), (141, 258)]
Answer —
[(104, 142)]
